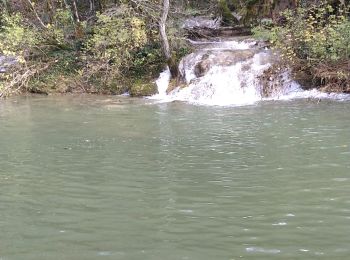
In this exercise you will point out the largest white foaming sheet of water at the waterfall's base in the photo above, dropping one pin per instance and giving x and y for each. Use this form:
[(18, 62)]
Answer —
[(224, 86)]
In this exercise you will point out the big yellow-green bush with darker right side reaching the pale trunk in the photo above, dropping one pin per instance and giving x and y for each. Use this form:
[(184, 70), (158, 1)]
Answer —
[(120, 47)]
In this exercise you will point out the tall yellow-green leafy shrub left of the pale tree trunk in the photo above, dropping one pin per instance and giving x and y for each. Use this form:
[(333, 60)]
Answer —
[(117, 37)]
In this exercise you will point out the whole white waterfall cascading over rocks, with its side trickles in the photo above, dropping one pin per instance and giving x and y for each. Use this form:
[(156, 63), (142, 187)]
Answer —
[(227, 74)]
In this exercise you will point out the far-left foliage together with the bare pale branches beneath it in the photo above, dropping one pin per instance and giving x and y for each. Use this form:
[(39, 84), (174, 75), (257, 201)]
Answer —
[(41, 60)]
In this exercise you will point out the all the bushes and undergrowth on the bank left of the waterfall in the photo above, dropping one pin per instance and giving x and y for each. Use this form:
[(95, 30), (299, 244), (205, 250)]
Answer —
[(108, 47)]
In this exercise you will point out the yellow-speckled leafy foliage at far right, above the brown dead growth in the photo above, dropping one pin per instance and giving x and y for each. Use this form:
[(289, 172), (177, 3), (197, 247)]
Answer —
[(316, 35)]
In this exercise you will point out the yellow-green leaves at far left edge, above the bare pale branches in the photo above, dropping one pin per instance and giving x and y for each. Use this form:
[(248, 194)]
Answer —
[(21, 39)]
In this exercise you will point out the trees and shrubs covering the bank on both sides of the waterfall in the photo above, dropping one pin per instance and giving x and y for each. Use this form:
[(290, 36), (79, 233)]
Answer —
[(115, 46)]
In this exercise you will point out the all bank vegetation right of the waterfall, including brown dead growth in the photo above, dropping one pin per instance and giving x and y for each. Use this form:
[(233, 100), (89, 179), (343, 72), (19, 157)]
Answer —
[(314, 42)]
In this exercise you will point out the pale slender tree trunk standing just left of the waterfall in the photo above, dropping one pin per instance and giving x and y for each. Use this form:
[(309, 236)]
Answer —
[(171, 61)]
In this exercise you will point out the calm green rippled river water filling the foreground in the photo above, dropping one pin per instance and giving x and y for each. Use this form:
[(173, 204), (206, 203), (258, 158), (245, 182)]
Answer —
[(118, 178)]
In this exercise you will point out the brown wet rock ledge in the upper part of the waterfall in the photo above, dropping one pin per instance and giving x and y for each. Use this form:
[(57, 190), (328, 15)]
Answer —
[(222, 59)]
